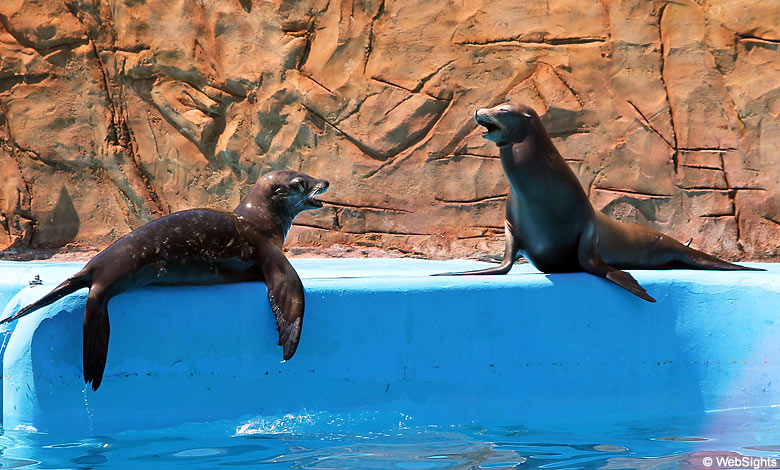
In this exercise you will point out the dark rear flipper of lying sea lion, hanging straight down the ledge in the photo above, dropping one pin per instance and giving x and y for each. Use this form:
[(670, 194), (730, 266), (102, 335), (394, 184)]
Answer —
[(96, 333)]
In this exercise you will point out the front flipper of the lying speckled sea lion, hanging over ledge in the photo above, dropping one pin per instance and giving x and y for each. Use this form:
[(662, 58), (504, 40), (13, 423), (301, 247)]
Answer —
[(285, 292)]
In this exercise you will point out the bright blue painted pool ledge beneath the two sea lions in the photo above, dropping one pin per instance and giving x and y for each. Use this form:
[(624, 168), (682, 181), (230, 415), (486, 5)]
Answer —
[(382, 335)]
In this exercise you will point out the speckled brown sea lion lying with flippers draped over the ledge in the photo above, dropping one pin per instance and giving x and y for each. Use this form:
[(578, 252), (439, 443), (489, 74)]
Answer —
[(200, 246)]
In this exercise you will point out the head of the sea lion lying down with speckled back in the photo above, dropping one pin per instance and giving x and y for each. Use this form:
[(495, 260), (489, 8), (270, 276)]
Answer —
[(289, 191)]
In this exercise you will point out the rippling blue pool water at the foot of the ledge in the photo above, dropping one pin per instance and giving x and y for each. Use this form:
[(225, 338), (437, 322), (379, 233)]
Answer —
[(368, 440)]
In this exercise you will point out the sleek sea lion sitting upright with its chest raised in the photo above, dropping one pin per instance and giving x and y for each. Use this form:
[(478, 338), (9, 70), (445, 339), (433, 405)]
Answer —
[(550, 221)]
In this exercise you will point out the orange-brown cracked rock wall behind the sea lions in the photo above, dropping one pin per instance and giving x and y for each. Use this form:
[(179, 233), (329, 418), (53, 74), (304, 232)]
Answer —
[(113, 113)]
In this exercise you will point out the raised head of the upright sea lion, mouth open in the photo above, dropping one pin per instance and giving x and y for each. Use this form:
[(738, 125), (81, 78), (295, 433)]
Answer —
[(507, 123)]
